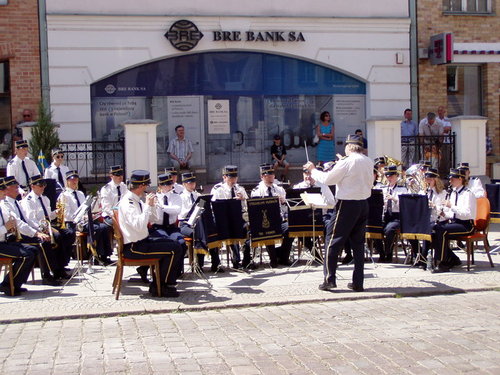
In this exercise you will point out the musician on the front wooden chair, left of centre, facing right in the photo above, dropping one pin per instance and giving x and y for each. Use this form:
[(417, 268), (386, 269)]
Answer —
[(133, 218)]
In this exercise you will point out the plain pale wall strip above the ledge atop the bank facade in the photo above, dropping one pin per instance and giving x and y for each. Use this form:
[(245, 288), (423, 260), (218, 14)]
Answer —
[(272, 8)]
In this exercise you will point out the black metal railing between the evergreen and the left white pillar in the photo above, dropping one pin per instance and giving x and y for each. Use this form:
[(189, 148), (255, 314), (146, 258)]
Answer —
[(92, 160)]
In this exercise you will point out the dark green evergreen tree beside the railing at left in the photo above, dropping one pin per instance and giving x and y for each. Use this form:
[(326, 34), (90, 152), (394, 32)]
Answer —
[(44, 136)]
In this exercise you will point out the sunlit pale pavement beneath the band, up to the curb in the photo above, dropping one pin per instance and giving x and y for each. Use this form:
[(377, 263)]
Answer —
[(90, 295)]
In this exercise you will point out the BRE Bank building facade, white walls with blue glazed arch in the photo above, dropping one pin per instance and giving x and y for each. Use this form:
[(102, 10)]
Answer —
[(234, 74)]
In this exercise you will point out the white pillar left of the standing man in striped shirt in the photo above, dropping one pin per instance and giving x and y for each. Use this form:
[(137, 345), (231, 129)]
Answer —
[(140, 147)]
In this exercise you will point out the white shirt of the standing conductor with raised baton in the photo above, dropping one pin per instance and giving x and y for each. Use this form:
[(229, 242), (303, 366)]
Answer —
[(353, 176)]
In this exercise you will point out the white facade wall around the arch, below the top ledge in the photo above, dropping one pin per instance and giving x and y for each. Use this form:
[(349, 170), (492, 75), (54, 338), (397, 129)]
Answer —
[(85, 49)]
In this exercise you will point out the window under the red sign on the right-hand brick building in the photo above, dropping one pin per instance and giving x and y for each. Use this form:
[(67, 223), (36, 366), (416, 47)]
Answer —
[(464, 90)]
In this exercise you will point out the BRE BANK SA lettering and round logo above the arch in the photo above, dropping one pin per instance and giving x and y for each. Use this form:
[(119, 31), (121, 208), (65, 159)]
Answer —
[(184, 35)]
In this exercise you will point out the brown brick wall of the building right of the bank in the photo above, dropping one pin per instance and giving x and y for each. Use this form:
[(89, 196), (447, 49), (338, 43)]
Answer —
[(466, 29)]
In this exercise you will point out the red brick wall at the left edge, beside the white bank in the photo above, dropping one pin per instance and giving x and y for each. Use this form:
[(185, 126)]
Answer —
[(19, 44)]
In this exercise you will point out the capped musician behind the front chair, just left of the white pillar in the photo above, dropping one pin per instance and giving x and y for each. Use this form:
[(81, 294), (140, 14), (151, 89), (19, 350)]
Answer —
[(111, 193)]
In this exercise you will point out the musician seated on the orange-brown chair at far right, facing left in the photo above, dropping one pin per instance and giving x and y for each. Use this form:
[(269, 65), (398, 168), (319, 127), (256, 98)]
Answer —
[(458, 212)]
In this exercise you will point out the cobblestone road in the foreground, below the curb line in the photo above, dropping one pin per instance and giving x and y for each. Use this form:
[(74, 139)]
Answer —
[(445, 334)]
